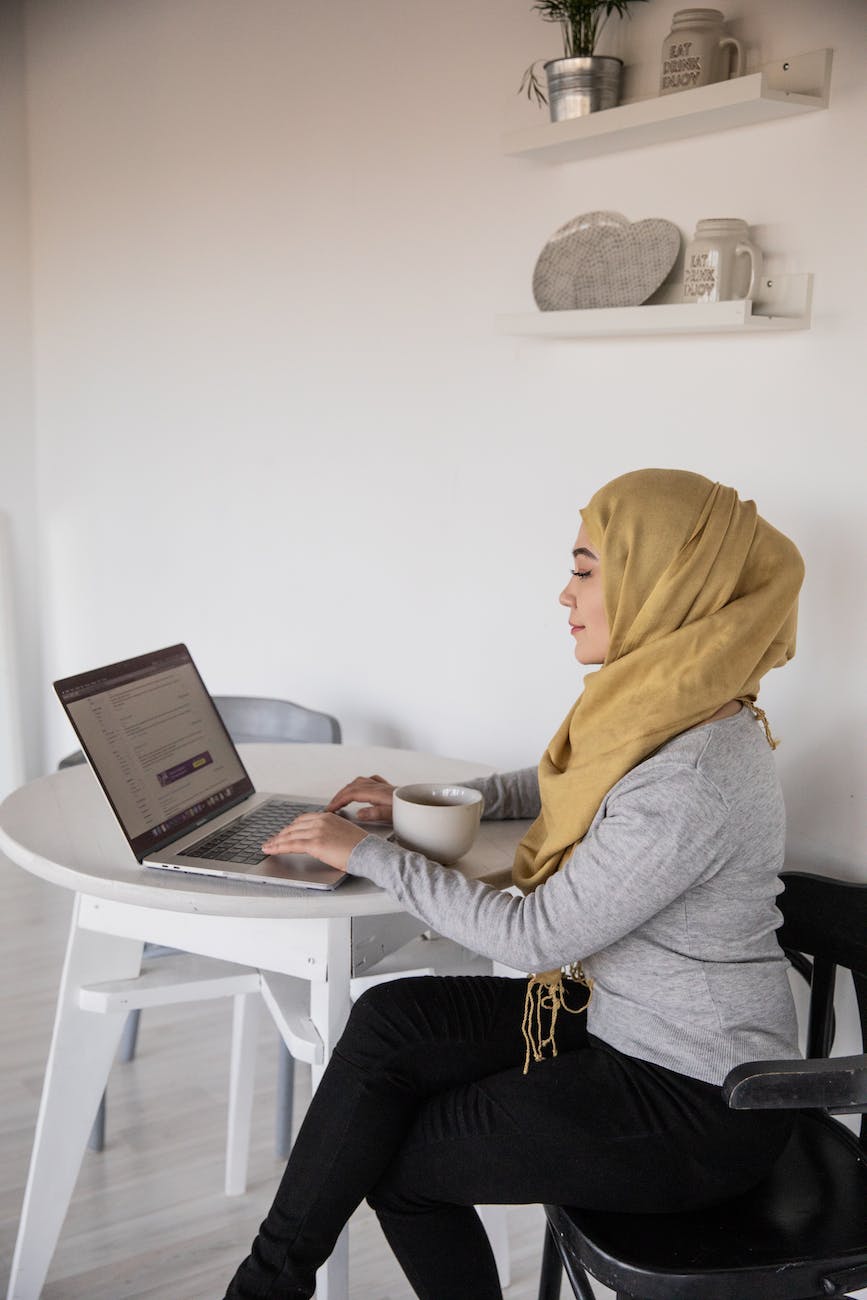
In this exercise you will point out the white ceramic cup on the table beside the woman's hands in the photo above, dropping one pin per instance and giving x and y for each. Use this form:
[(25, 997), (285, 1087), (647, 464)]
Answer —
[(439, 821)]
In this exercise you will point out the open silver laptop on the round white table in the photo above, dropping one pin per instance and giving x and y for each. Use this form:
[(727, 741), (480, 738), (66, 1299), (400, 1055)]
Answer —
[(174, 778)]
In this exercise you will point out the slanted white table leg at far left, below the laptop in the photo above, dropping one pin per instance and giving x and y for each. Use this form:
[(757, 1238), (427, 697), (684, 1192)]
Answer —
[(80, 1060)]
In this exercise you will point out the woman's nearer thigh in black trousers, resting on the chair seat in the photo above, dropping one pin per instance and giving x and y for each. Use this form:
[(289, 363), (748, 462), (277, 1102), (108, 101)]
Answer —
[(588, 1128)]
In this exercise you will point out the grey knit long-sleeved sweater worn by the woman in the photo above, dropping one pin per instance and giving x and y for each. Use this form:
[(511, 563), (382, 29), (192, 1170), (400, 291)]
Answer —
[(669, 902)]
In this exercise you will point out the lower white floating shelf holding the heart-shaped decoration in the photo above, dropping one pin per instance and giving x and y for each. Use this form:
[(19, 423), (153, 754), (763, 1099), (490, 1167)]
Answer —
[(784, 306)]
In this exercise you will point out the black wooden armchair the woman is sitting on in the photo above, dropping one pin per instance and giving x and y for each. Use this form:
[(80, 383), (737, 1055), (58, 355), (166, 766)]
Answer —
[(801, 1233)]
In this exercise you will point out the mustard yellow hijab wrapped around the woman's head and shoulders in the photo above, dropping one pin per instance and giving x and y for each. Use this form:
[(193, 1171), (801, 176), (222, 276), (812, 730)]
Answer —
[(701, 596)]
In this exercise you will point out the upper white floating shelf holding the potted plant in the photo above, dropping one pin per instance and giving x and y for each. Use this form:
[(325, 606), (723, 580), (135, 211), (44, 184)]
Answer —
[(783, 89)]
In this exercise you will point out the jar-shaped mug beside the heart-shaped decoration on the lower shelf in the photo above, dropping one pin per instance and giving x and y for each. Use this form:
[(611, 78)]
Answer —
[(722, 262)]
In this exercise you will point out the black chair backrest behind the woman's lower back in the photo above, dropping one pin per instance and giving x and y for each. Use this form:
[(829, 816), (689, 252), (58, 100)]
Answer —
[(827, 921)]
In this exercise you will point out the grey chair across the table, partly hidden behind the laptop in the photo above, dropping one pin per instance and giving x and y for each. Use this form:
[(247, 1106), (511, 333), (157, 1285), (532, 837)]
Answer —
[(248, 720)]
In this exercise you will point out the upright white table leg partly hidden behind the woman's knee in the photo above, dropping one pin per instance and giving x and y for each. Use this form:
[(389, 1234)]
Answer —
[(331, 1009)]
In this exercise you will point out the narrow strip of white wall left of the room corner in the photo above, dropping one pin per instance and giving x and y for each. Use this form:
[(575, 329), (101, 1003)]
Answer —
[(20, 675)]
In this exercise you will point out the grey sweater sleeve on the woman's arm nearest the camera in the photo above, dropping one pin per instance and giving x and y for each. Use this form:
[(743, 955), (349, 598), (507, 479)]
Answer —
[(654, 838)]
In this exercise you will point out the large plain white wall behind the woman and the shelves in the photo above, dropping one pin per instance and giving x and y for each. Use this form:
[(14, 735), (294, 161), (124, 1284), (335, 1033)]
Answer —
[(270, 245)]
